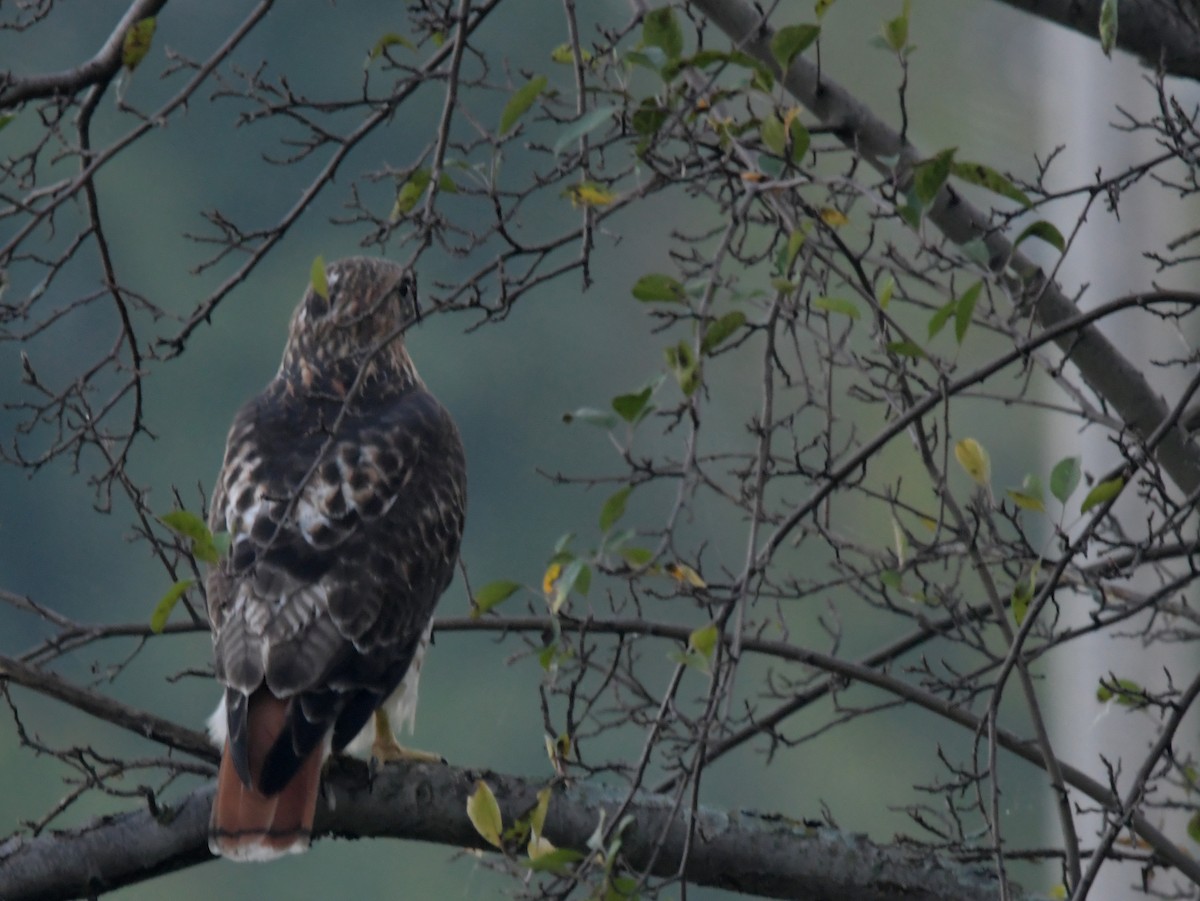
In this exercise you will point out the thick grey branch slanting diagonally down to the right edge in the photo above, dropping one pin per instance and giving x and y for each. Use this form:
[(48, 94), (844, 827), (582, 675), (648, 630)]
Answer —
[(1106, 370)]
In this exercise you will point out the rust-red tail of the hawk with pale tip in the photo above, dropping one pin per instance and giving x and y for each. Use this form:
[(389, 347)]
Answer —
[(247, 824)]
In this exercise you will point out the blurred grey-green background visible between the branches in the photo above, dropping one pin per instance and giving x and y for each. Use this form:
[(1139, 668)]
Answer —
[(976, 77)]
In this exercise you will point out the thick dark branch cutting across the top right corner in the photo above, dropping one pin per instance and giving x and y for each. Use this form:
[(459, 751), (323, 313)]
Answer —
[(1157, 32)]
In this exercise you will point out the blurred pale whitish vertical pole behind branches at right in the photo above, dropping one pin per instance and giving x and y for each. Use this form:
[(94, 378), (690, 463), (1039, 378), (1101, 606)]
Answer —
[(1078, 106)]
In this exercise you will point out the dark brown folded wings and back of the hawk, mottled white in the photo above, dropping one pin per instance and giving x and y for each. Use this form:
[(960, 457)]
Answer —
[(343, 543)]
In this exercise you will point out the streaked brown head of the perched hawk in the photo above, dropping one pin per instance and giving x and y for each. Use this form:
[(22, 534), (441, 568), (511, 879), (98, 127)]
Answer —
[(358, 325)]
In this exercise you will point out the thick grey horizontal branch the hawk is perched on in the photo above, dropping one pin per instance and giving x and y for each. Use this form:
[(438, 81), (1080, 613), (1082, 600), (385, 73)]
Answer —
[(766, 856)]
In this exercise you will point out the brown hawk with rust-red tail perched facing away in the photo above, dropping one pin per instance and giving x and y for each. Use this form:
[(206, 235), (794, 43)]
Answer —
[(344, 491)]
